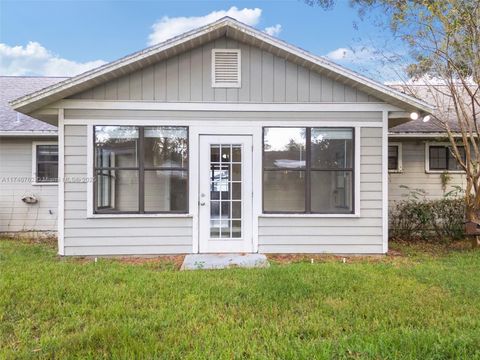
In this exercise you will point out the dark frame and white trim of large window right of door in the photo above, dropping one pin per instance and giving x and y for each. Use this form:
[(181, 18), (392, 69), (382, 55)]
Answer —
[(308, 170)]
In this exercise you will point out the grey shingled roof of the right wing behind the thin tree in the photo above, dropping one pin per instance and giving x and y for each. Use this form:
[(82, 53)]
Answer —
[(434, 94)]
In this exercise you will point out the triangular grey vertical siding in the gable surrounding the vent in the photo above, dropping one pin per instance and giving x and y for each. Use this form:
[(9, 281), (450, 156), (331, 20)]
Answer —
[(265, 78)]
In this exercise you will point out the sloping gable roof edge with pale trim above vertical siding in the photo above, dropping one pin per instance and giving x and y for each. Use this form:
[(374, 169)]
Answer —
[(223, 27)]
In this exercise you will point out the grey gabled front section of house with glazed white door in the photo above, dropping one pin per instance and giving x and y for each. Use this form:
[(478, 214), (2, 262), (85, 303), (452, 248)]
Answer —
[(223, 139)]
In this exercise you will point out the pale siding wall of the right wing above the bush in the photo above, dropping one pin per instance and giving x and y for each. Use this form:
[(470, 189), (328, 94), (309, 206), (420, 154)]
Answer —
[(414, 175)]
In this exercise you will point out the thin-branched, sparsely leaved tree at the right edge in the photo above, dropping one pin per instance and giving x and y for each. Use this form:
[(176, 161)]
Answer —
[(443, 38)]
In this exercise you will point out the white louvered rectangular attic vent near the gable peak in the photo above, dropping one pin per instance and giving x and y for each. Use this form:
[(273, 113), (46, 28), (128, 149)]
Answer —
[(226, 68)]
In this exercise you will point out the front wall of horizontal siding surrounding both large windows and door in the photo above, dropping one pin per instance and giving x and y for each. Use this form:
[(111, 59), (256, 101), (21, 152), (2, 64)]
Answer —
[(163, 235)]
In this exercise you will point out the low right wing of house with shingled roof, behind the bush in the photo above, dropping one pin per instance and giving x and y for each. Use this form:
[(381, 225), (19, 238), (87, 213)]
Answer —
[(419, 152)]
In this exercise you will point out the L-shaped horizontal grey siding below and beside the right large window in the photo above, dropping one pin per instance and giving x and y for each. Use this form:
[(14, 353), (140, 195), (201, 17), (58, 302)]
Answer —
[(335, 235)]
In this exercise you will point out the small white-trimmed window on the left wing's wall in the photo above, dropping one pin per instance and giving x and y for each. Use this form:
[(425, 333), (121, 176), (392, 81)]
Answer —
[(45, 163)]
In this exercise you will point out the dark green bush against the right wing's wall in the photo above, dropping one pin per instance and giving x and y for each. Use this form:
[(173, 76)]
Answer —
[(419, 218)]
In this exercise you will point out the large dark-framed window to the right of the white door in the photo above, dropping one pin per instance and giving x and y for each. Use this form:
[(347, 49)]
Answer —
[(308, 170)]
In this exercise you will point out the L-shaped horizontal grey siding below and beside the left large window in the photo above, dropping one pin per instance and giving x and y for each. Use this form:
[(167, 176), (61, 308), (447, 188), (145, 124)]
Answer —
[(111, 236)]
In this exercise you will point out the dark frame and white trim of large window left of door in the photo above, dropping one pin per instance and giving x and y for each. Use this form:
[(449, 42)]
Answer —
[(140, 168)]
